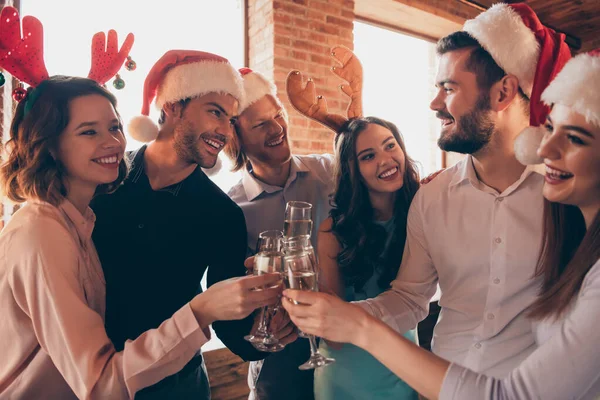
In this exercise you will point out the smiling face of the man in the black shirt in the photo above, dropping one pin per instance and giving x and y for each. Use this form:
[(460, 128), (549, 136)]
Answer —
[(204, 127)]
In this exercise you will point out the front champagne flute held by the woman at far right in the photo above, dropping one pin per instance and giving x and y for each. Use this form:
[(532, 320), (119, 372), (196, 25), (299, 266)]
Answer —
[(300, 274)]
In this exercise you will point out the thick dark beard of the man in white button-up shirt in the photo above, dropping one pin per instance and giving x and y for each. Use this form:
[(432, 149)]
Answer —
[(473, 131)]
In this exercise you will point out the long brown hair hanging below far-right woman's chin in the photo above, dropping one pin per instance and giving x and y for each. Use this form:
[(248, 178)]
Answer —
[(568, 252)]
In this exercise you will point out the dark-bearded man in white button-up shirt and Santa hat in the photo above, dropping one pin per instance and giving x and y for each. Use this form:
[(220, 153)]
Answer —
[(476, 229)]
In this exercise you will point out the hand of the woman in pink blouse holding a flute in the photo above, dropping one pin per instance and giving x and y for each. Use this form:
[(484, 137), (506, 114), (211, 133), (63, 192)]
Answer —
[(236, 298)]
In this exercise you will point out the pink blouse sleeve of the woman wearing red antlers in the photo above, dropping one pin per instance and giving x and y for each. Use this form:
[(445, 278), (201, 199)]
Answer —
[(46, 281)]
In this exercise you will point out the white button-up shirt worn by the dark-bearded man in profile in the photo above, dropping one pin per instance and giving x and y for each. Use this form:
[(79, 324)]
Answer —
[(482, 248)]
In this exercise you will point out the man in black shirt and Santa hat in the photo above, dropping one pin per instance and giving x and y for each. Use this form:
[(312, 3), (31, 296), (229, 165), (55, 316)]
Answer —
[(159, 232)]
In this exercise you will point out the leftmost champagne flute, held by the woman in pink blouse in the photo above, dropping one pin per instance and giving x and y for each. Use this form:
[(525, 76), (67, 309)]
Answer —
[(269, 259)]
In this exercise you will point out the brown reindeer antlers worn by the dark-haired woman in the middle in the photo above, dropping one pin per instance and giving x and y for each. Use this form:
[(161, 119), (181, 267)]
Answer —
[(304, 99)]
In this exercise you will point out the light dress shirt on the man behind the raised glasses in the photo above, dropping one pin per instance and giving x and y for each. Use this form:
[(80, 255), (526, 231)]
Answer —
[(263, 205)]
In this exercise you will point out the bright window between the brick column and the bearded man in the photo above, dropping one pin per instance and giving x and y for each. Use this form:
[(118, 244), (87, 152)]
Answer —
[(399, 78)]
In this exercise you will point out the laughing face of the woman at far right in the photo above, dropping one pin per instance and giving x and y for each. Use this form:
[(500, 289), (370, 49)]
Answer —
[(571, 152)]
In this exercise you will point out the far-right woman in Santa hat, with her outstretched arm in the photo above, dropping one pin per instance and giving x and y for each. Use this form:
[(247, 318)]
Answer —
[(566, 365)]
